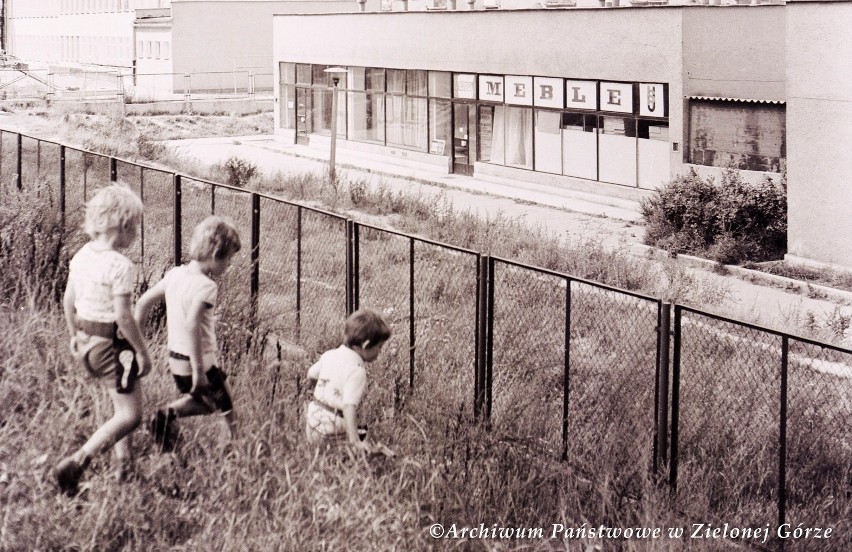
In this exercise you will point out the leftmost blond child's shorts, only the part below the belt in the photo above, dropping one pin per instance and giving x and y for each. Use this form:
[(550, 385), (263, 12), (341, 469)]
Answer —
[(110, 358)]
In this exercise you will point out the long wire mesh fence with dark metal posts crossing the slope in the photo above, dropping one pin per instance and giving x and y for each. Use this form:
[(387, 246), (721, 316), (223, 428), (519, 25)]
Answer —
[(761, 421)]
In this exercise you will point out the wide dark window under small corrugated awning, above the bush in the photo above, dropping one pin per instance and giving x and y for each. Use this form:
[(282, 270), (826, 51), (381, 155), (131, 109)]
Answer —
[(748, 136)]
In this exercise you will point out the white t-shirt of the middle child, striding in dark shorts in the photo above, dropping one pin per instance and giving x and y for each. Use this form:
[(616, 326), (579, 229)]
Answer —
[(184, 285)]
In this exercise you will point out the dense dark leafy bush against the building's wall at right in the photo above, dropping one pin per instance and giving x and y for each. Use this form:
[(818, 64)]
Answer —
[(730, 221)]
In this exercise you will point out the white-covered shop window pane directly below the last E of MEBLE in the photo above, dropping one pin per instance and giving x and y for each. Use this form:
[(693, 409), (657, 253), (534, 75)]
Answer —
[(617, 150)]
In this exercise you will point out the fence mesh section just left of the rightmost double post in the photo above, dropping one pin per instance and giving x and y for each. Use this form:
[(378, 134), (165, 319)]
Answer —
[(612, 382)]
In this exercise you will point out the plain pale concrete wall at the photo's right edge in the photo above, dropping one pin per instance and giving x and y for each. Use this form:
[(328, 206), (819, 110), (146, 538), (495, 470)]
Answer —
[(819, 131)]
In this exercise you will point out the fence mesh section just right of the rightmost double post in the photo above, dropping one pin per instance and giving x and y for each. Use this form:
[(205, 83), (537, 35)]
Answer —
[(730, 381)]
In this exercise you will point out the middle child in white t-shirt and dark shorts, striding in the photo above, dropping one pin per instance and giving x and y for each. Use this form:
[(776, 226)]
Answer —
[(191, 294)]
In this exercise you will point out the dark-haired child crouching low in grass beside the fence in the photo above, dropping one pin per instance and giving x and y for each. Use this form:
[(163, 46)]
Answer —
[(341, 379)]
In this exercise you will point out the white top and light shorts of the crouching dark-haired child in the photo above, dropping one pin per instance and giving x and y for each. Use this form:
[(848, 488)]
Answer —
[(341, 380)]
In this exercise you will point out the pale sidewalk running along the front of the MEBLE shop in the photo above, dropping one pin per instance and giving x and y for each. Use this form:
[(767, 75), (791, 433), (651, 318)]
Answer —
[(565, 213)]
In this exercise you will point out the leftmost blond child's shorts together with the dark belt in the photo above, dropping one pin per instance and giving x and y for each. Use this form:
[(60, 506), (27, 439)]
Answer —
[(105, 354)]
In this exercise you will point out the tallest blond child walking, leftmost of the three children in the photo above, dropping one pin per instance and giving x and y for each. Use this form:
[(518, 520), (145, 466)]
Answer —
[(104, 335)]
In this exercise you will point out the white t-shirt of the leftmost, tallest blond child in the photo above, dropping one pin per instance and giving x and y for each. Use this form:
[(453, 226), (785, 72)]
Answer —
[(97, 277)]
